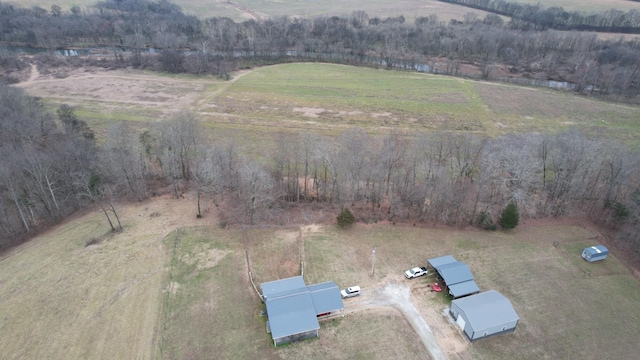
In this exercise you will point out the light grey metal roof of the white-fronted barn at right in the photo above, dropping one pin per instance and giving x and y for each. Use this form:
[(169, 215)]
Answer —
[(486, 310)]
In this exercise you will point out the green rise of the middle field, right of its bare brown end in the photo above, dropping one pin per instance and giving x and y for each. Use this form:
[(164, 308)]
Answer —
[(341, 96)]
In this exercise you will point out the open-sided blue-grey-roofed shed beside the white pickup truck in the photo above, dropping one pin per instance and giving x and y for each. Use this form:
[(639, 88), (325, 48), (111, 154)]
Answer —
[(455, 275)]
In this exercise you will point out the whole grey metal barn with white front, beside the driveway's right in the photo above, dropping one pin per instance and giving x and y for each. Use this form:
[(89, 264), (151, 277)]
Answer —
[(485, 314)]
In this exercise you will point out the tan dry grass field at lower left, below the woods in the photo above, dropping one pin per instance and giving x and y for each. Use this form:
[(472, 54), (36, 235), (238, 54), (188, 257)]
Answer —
[(61, 299)]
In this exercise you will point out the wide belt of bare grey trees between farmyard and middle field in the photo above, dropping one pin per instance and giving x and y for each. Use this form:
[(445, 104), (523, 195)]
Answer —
[(51, 166)]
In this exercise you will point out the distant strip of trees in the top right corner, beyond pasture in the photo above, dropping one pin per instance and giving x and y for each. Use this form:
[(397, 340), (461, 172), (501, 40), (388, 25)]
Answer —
[(537, 17)]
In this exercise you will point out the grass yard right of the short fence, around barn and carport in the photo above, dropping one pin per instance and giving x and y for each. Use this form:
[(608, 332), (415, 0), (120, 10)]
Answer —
[(561, 309)]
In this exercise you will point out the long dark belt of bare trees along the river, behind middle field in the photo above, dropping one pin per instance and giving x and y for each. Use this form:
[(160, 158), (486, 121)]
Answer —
[(219, 45)]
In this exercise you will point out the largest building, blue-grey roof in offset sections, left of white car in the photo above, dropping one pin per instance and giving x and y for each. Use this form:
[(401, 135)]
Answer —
[(293, 307)]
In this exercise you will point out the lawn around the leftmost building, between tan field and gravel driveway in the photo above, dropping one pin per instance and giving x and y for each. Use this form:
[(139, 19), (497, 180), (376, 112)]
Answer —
[(211, 308)]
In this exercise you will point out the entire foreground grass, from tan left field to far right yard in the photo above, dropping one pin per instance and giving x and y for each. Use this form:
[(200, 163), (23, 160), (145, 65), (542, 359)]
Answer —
[(154, 292)]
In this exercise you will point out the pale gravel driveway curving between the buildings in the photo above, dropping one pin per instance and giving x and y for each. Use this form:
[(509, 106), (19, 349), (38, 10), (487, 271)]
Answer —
[(397, 296)]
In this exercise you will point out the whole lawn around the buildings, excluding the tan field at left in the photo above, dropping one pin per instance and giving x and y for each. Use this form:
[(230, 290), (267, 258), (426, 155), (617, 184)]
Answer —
[(568, 308)]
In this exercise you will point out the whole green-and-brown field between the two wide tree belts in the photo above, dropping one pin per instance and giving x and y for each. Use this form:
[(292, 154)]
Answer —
[(328, 99)]
